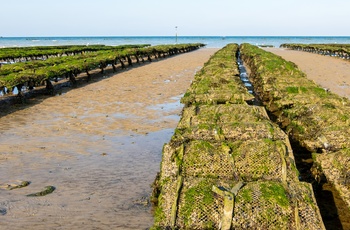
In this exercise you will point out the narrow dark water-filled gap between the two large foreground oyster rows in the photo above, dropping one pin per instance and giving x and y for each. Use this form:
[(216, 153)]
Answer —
[(333, 209)]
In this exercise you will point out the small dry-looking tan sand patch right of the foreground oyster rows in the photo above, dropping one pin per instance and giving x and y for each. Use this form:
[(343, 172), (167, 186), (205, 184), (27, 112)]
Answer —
[(329, 72)]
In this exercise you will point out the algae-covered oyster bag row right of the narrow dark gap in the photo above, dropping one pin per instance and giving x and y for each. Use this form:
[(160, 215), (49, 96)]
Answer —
[(314, 118)]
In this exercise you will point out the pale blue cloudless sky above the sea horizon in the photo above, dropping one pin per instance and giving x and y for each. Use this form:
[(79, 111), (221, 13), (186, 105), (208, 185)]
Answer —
[(25, 18)]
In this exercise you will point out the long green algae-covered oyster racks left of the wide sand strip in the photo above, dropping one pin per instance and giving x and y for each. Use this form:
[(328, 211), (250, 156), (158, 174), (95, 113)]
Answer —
[(70, 61)]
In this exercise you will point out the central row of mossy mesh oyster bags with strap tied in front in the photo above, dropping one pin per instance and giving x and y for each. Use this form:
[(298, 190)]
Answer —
[(227, 165)]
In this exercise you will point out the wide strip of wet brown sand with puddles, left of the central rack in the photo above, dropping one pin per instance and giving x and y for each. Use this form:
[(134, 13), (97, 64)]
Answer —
[(99, 145)]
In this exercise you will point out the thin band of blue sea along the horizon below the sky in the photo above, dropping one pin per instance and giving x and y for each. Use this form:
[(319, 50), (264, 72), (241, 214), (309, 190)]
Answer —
[(210, 41)]
